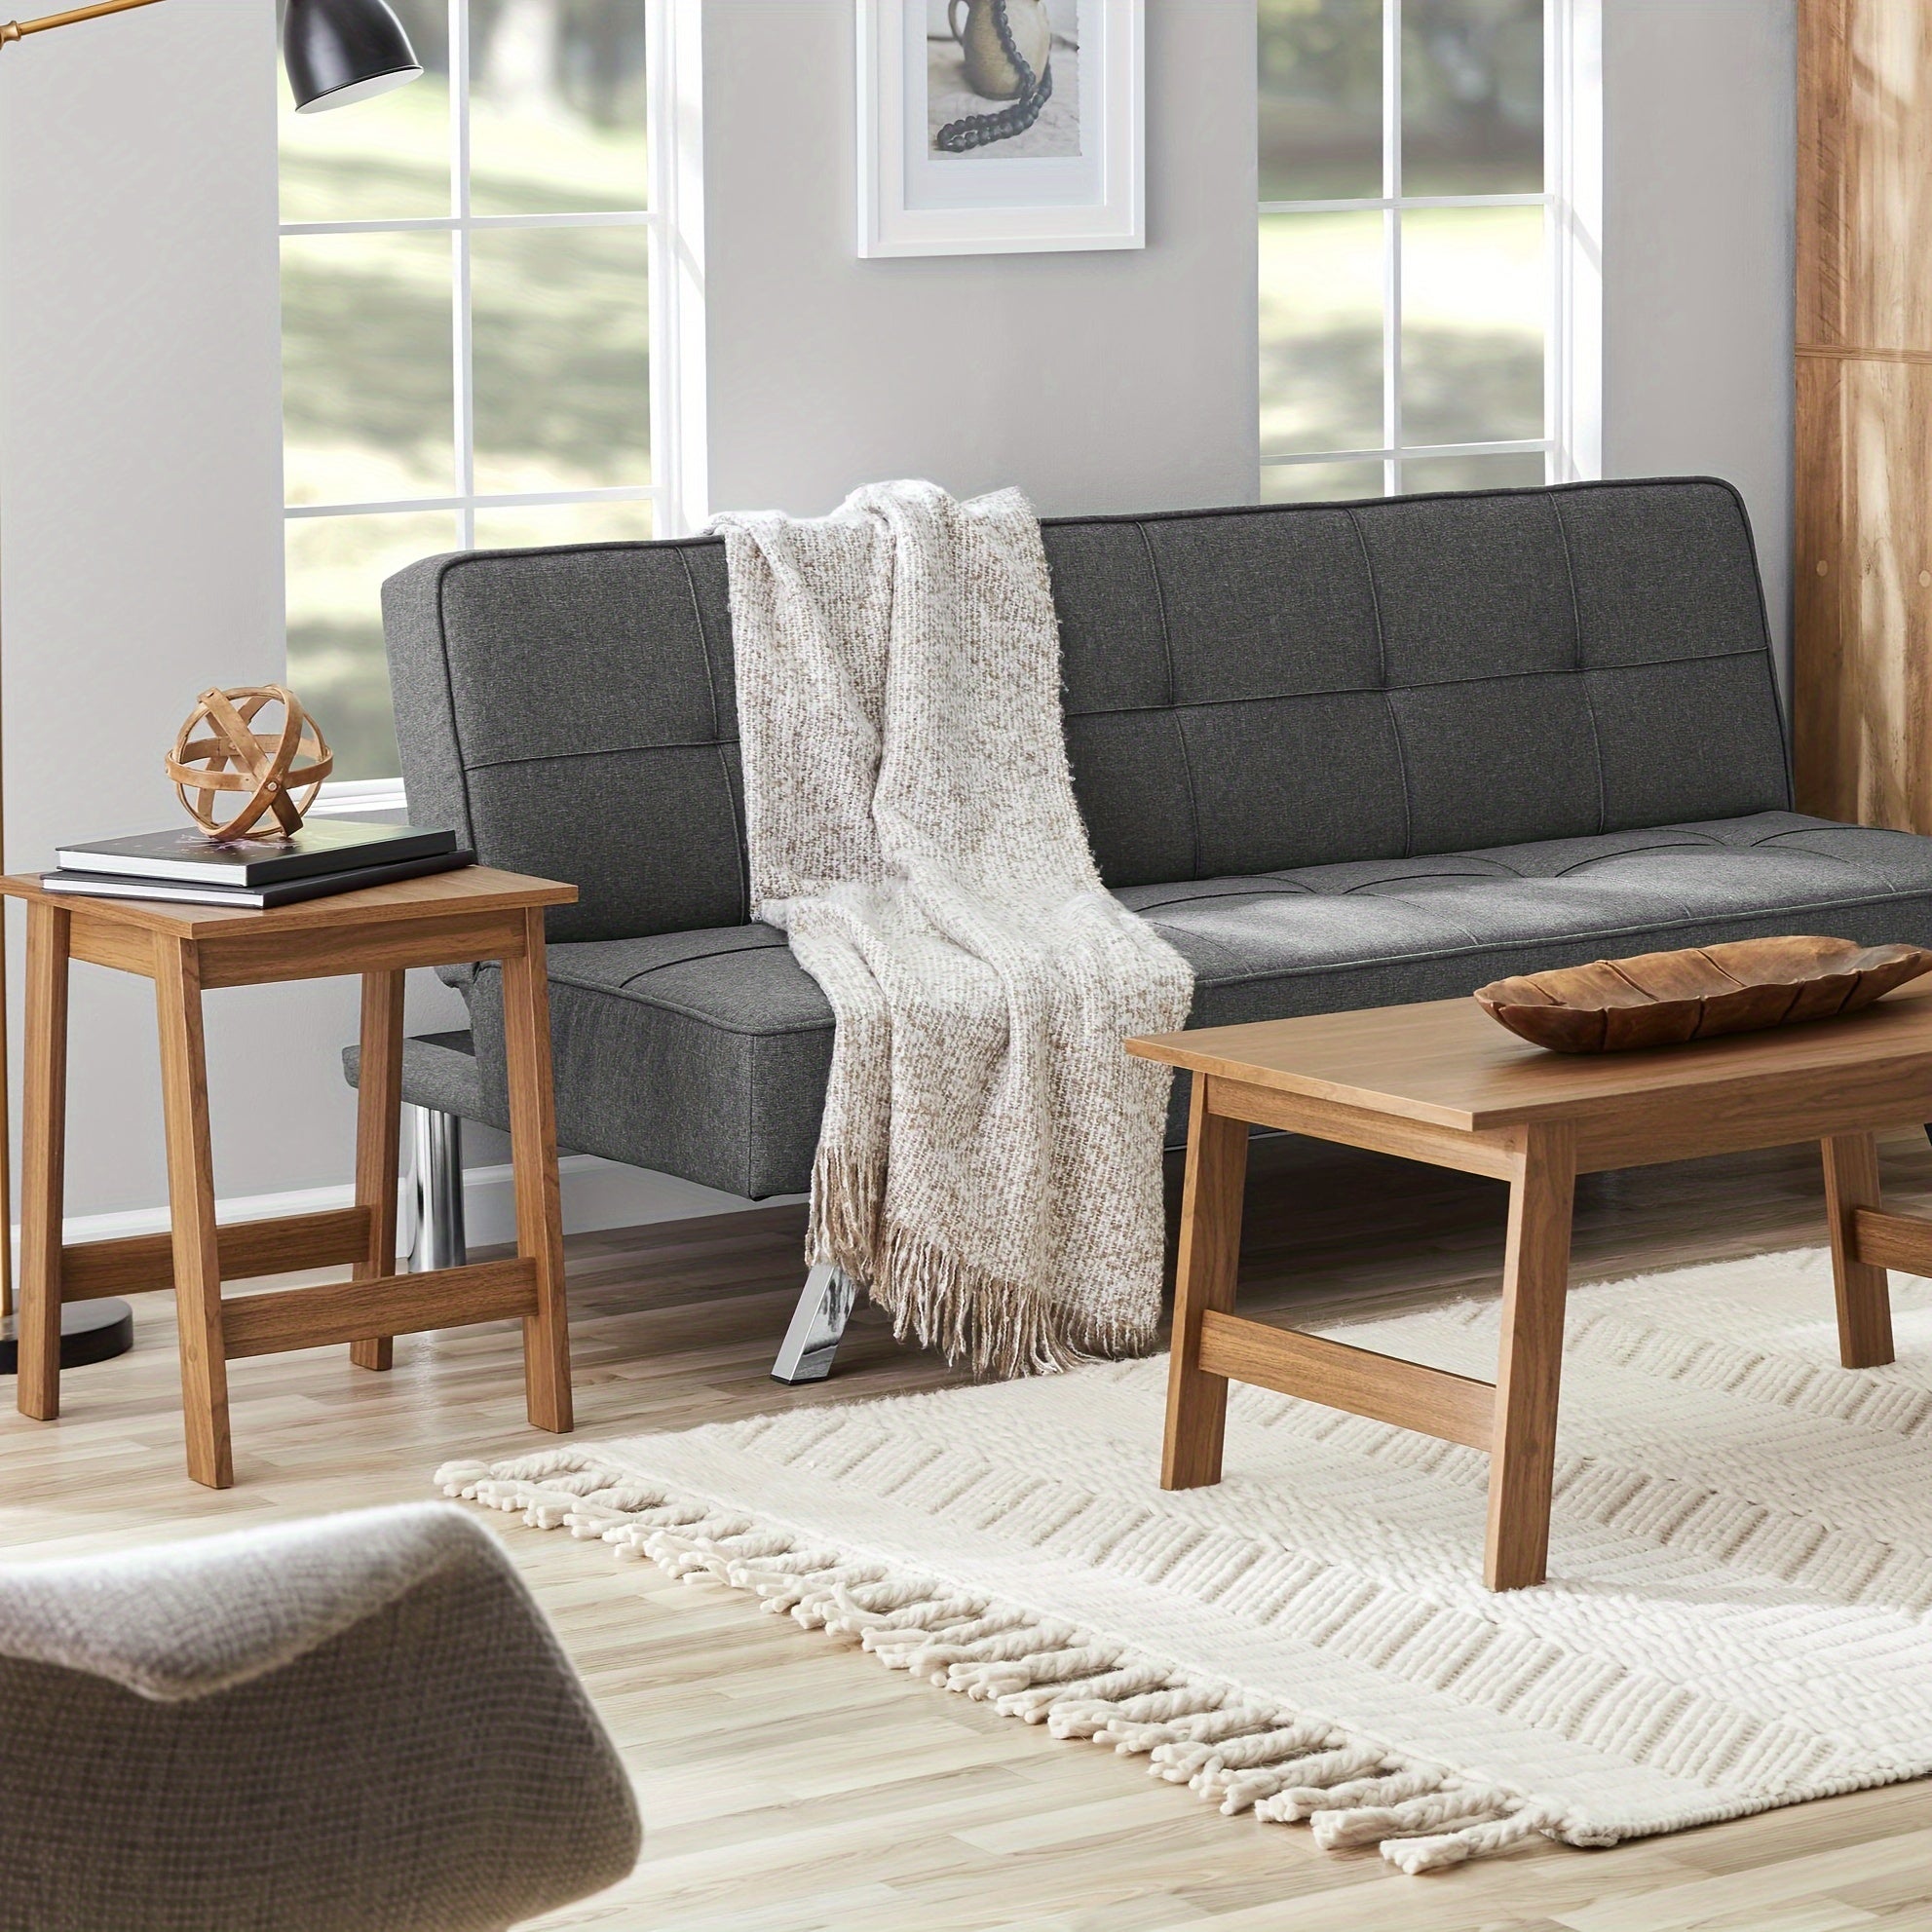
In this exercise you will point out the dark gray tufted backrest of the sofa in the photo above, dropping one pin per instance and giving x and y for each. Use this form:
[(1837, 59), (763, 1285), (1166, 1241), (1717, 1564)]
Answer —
[(1245, 691)]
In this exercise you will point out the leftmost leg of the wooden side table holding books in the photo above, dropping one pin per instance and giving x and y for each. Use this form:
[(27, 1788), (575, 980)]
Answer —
[(43, 1160)]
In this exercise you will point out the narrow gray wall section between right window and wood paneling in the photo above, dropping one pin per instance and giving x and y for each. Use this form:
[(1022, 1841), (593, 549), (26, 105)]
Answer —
[(1699, 167)]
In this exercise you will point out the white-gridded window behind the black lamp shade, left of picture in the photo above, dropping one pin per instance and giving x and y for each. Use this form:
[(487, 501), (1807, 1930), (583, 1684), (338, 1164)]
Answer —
[(467, 341)]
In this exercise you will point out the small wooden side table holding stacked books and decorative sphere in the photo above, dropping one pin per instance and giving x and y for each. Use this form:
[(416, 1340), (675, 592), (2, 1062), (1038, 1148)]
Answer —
[(455, 917)]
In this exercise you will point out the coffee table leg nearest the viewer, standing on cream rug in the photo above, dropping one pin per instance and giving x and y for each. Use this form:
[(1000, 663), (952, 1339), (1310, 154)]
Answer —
[(1531, 1369)]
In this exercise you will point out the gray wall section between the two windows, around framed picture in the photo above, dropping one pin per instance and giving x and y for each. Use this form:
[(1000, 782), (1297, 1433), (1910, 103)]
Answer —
[(1096, 382)]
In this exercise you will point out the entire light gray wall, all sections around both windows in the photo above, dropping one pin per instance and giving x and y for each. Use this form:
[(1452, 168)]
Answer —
[(140, 420)]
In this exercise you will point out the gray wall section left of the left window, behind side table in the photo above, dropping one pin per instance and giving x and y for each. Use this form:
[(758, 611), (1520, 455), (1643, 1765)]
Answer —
[(140, 422)]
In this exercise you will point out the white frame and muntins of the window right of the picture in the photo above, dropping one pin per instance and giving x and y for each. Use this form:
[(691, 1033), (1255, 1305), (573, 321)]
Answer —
[(1574, 221)]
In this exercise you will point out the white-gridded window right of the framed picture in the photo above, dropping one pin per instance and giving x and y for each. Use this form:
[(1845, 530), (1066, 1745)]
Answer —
[(1419, 225)]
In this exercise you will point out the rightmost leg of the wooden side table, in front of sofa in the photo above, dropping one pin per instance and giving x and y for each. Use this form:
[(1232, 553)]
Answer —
[(540, 1208)]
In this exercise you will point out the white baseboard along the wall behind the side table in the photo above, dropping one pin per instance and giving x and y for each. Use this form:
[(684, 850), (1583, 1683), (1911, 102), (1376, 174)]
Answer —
[(598, 1195)]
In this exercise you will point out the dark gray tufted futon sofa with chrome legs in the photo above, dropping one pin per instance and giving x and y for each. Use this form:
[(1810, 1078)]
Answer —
[(1340, 754)]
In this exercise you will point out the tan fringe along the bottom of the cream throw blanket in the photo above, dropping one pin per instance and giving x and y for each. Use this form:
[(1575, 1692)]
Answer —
[(938, 1301)]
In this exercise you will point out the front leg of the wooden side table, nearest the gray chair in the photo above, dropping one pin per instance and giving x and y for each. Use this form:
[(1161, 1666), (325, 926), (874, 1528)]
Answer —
[(198, 1270)]
